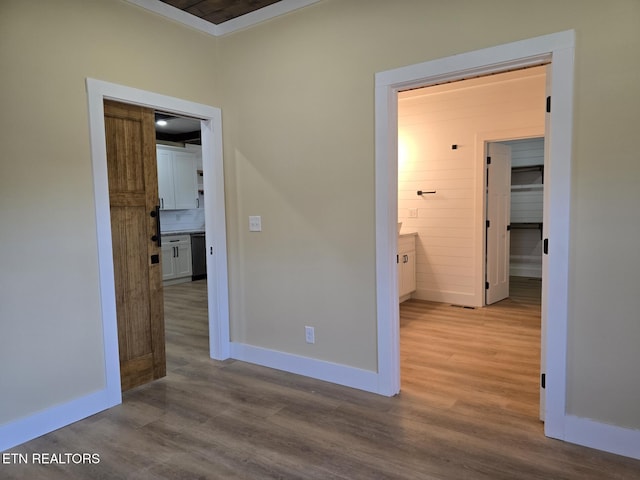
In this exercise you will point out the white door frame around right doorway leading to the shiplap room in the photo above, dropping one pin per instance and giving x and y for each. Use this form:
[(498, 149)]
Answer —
[(557, 48)]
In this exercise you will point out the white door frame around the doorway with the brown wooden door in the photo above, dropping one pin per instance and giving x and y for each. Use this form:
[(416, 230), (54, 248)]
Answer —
[(215, 224)]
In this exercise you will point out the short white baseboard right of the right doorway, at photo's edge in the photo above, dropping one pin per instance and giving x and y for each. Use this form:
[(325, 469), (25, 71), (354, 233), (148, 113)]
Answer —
[(602, 436)]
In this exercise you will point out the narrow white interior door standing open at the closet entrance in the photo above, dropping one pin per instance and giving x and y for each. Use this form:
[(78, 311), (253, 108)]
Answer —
[(498, 219)]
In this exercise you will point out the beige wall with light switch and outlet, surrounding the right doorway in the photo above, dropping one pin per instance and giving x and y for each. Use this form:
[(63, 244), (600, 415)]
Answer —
[(299, 136)]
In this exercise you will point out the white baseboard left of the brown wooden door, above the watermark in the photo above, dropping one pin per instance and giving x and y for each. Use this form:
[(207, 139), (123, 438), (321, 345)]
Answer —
[(41, 423)]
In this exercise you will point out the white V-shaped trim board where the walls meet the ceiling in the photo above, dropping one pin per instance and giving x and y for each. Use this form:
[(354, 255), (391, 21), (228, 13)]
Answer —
[(266, 13)]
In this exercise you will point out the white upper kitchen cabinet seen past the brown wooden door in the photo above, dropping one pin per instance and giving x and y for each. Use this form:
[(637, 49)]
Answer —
[(177, 182)]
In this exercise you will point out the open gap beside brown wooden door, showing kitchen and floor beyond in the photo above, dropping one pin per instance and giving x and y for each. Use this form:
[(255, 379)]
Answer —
[(181, 190)]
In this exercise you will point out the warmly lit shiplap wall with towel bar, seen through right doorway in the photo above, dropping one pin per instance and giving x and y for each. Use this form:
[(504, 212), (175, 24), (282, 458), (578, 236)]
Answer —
[(449, 223)]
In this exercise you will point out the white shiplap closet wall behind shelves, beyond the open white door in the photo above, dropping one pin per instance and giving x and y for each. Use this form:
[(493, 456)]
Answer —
[(526, 206)]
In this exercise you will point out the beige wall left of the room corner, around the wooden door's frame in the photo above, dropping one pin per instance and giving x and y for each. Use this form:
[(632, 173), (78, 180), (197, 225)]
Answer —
[(51, 341)]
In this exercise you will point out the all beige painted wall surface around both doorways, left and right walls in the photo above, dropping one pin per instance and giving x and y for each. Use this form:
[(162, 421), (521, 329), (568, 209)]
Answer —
[(298, 113)]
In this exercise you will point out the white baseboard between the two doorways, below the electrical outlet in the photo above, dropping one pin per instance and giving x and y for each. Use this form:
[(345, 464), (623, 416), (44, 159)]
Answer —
[(319, 369)]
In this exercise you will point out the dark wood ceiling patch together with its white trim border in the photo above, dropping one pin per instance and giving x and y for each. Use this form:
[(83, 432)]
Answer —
[(219, 17)]
